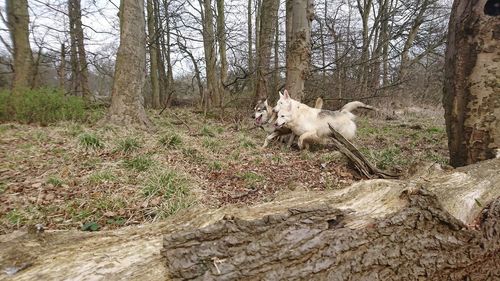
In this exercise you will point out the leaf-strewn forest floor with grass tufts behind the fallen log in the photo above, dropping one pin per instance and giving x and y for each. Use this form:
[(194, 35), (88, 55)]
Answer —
[(91, 177)]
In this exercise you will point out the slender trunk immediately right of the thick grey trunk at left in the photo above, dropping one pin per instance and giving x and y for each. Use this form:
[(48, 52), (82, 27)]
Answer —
[(153, 55)]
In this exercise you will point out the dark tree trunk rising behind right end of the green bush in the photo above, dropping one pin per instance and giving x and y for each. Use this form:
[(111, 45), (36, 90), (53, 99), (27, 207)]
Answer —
[(79, 60)]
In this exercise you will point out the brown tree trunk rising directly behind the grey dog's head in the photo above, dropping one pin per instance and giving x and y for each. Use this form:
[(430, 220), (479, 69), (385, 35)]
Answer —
[(267, 29)]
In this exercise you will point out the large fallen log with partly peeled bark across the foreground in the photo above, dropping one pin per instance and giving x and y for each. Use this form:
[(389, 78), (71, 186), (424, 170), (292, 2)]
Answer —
[(432, 227)]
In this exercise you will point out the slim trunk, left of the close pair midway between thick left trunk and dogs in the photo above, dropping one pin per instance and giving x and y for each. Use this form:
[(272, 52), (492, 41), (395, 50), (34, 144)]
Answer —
[(210, 55)]
